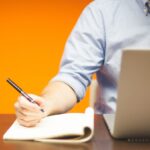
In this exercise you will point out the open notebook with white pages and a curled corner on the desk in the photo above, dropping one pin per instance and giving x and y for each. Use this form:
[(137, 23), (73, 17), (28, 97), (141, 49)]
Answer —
[(63, 128)]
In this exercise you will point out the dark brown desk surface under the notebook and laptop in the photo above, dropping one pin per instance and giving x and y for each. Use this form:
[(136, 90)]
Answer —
[(101, 140)]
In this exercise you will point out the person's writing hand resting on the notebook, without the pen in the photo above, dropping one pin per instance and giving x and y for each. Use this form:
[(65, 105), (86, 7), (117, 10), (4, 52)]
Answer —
[(27, 113)]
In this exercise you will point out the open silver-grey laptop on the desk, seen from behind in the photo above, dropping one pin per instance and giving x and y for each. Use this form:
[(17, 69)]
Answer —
[(132, 117)]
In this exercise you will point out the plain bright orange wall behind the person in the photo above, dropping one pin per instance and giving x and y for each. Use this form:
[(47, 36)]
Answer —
[(32, 38)]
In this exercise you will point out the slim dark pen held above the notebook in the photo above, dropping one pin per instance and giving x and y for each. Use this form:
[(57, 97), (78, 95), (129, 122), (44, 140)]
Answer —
[(15, 86)]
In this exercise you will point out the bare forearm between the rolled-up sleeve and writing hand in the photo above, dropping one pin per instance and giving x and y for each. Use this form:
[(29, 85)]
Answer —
[(59, 98)]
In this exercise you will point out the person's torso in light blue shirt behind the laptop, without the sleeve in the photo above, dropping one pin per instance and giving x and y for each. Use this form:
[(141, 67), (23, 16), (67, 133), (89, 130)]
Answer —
[(126, 26)]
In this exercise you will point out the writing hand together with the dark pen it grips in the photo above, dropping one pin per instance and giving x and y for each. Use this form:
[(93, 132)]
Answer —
[(29, 107)]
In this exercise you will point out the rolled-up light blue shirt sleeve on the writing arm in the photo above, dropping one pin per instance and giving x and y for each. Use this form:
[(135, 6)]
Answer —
[(84, 51)]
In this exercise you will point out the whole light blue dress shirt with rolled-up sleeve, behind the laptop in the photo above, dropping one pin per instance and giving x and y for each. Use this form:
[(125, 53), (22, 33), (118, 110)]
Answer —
[(104, 29)]
